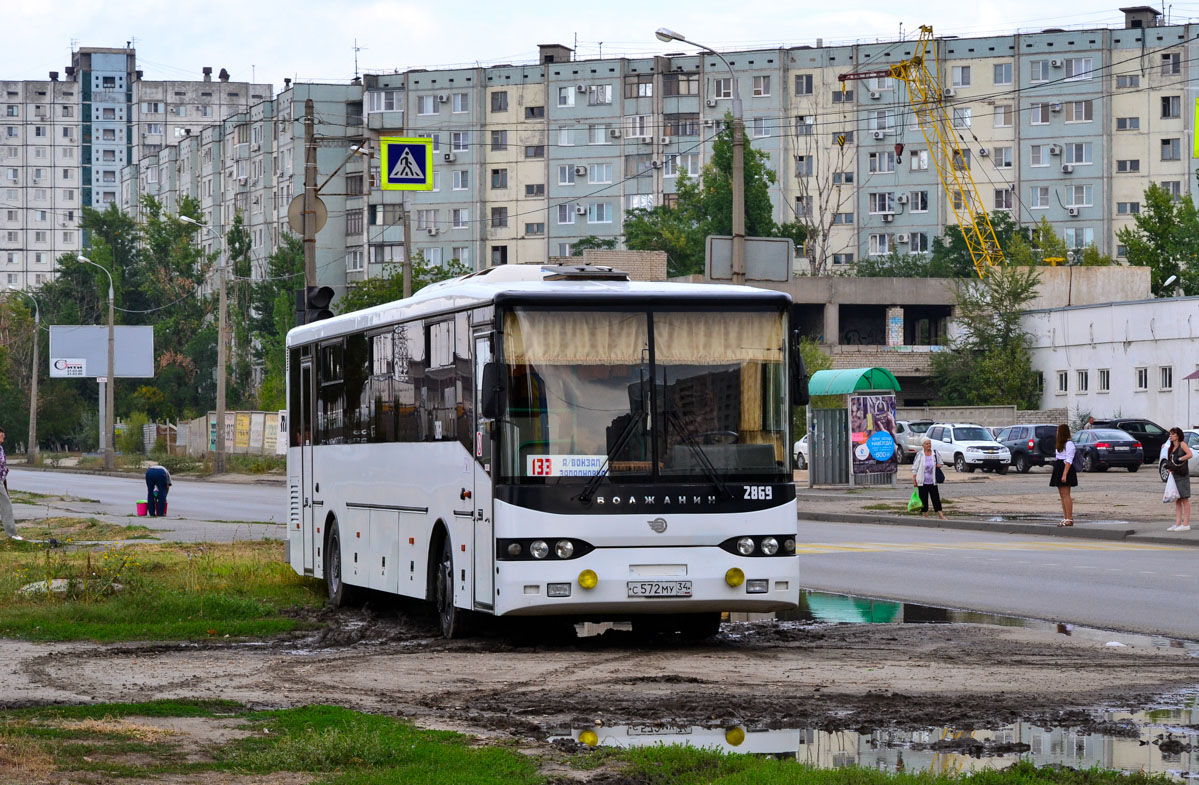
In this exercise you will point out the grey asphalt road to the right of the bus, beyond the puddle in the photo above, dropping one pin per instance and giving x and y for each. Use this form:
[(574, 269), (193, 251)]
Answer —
[(1117, 585)]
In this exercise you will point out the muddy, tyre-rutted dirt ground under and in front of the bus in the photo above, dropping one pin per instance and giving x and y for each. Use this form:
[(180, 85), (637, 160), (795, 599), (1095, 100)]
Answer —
[(758, 674)]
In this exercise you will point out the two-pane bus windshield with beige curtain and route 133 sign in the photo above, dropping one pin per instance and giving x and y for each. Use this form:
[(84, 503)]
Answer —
[(643, 396)]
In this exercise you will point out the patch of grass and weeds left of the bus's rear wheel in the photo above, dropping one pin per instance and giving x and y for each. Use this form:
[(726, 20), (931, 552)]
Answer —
[(167, 593)]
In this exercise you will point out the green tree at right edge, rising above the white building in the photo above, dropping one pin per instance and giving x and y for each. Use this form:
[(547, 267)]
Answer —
[(1165, 239)]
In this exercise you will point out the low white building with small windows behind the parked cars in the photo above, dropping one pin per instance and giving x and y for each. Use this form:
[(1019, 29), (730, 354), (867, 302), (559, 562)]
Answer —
[(1120, 359)]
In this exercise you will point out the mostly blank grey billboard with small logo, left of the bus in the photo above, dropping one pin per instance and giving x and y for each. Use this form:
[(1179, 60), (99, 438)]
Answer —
[(82, 352)]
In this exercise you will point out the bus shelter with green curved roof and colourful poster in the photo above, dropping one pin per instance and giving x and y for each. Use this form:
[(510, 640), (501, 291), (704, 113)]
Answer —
[(854, 444)]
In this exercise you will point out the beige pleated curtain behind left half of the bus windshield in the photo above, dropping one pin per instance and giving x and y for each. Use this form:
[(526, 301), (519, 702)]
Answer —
[(585, 339)]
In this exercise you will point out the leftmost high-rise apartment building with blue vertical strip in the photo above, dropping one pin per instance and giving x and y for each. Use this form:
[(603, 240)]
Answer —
[(64, 144)]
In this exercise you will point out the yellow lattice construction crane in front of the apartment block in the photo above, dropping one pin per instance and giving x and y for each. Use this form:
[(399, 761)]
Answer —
[(927, 100)]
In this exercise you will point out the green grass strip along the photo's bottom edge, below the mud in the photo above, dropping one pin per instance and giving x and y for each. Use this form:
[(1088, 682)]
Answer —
[(342, 747)]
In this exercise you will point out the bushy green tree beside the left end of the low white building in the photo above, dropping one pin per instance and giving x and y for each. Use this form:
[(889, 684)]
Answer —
[(990, 361)]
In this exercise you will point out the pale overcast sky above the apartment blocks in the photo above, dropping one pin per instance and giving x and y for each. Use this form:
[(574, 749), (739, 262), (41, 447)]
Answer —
[(269, 40)]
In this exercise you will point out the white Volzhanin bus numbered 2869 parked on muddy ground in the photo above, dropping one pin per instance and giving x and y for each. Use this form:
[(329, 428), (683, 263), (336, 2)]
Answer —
[(550, 442)]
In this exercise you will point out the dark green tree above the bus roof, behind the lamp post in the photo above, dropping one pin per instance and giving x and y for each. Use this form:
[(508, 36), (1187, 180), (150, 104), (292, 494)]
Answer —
[(704, 207)]
